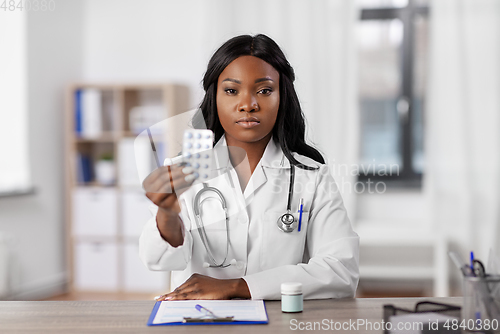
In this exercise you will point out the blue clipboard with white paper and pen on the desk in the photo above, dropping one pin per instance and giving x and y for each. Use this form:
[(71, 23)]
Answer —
[(219, 312)]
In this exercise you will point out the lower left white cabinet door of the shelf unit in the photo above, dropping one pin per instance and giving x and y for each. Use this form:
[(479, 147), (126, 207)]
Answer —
[(96, 266)]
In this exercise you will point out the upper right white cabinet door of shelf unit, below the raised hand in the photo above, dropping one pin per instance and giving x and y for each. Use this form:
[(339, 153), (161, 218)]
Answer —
[(135, 212)]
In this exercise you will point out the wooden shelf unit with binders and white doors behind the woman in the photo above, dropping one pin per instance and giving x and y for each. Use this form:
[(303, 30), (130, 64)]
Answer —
[(104, 220)]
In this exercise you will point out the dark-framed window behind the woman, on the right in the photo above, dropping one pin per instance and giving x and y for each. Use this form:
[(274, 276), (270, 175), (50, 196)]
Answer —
[(392, 66)]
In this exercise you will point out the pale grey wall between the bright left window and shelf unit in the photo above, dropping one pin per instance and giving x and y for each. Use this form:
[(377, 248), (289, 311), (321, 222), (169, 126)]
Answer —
[(36, 221)]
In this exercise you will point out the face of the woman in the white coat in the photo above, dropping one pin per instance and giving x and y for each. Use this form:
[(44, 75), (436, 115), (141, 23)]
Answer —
[(248, 100)]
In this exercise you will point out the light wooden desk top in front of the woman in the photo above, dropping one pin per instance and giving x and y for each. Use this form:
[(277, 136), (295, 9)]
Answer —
[(131, 316)]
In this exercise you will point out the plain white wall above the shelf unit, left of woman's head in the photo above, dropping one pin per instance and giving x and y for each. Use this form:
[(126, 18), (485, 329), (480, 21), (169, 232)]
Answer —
[(146, 41)]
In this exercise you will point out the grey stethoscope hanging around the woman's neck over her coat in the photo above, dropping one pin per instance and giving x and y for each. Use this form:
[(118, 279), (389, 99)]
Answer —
[(285, 221)]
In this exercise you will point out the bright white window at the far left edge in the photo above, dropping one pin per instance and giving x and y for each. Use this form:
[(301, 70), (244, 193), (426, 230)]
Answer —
[(14, 162)]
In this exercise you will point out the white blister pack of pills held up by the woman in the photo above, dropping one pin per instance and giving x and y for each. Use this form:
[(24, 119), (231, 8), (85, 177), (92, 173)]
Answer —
[(197, 151)]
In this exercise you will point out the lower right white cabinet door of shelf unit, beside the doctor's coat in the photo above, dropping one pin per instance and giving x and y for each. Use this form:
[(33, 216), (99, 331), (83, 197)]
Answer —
[(139, 278)]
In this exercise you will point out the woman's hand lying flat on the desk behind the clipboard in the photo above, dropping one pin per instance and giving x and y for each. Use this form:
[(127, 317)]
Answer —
[(205, 287)]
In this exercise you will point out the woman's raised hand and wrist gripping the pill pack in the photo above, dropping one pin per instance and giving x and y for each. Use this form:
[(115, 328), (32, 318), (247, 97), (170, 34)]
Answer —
[(163, 186)]
